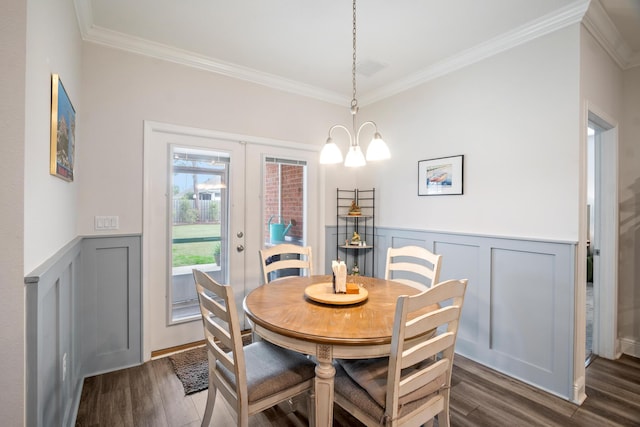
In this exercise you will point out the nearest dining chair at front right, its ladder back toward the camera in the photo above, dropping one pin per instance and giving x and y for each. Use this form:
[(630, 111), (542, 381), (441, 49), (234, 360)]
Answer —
[(412, 385)]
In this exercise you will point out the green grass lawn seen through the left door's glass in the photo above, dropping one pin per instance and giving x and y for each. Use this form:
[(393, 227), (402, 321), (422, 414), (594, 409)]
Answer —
[(197, 252)]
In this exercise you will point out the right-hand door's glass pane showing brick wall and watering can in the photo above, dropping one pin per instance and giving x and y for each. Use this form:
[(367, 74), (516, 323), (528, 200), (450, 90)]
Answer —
[(284, 204)]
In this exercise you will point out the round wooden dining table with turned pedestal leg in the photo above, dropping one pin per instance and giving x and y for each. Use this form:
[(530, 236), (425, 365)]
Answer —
[(302, 313)]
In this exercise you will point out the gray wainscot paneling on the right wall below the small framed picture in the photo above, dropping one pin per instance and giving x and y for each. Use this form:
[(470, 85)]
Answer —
[(518, 313)]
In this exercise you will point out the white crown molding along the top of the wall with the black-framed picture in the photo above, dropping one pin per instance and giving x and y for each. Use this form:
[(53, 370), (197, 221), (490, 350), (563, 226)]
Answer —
[(564, 17)]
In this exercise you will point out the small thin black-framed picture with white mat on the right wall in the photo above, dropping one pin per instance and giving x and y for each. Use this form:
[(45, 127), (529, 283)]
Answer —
[(441, 176)]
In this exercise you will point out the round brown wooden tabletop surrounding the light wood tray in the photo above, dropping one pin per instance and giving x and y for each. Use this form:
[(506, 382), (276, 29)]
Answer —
[(281, 307)]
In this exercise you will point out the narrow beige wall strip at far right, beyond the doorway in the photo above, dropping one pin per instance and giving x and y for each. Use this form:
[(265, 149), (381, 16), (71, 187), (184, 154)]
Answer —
[(629, 199)]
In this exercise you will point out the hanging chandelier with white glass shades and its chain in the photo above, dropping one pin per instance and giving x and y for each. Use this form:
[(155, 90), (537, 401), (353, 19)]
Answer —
[(377, 149)]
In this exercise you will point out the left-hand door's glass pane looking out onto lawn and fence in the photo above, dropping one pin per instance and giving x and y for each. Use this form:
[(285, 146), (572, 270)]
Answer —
[(198, 229)]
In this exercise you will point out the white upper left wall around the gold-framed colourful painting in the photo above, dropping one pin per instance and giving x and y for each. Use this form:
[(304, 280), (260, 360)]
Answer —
[(50, 204)]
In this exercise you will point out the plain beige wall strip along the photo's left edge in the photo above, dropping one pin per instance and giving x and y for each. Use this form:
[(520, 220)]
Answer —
[(13, 32)]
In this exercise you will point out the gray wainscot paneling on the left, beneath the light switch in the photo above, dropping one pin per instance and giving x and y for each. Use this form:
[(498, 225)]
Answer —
[(83, 318)]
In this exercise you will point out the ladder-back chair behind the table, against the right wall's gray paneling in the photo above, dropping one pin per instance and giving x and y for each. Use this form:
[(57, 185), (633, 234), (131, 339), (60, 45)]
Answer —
[(407, 263)]
